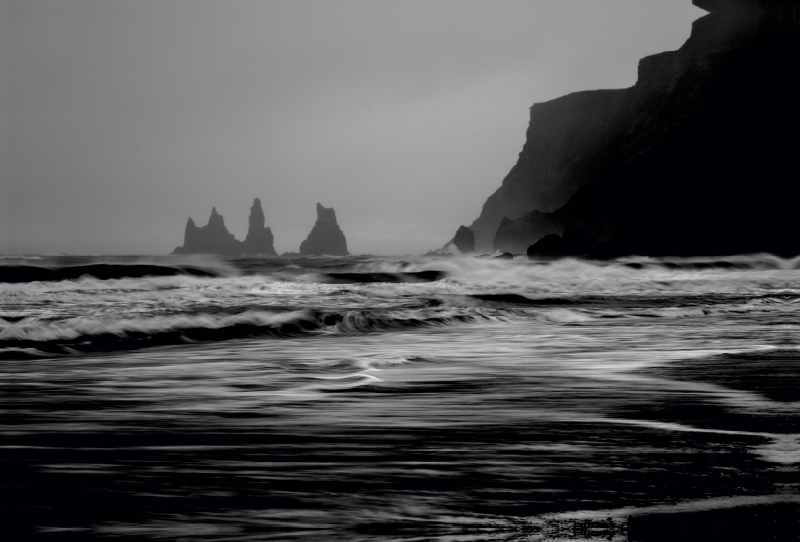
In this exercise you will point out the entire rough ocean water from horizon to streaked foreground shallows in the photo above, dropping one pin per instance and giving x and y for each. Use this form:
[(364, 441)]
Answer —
[(363, 398)]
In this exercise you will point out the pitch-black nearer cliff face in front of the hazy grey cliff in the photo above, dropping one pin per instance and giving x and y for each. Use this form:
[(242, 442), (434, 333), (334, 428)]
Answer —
[(710, 160)]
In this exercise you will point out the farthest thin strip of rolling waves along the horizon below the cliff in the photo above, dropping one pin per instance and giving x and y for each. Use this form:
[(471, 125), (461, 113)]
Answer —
[(365, 270)]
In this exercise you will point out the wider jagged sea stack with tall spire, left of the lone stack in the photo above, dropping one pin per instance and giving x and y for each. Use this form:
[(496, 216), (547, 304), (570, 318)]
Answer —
[(214, 237)]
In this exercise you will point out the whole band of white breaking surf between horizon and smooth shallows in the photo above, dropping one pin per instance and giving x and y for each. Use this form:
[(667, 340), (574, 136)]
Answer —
[(89, 305)]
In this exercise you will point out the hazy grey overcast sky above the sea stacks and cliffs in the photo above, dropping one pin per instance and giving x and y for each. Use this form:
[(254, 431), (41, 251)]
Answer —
[(120, 119)]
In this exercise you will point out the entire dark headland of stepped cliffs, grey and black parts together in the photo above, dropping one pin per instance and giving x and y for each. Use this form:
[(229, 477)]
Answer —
[(698, 158)]
